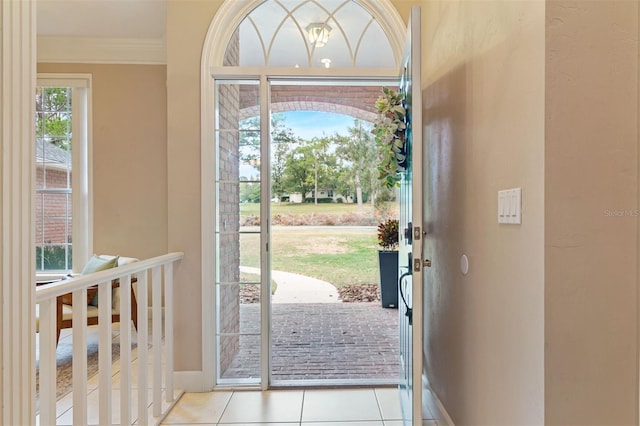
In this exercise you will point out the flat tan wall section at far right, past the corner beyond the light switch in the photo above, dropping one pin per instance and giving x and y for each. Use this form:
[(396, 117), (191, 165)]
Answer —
[(591, 222)]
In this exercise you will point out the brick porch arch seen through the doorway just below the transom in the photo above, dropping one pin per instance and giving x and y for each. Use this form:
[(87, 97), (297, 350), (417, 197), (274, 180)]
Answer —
[(354, 101)]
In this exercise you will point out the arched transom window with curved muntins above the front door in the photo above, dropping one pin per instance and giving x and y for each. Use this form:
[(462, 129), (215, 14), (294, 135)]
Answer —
[(310, 33)]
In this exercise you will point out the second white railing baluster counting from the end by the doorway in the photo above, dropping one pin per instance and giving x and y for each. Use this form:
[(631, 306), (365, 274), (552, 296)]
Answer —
[(156, 307)]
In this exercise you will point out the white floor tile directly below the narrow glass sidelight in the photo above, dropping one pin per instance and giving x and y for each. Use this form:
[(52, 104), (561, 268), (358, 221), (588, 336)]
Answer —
[(269, 406)]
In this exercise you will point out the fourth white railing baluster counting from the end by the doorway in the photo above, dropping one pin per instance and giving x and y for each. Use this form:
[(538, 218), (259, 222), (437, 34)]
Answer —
[(125, 350)]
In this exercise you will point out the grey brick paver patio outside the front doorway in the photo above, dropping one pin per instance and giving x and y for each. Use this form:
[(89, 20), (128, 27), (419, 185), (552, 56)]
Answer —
[(321, 341)]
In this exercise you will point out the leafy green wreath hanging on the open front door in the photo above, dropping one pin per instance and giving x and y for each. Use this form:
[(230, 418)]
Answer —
[(389, 129)]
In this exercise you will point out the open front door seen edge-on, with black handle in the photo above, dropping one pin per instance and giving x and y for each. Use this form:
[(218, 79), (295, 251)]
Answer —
[(411, 233)]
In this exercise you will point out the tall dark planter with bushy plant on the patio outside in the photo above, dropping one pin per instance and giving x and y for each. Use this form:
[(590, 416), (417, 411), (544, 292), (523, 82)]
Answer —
[(388, 262)]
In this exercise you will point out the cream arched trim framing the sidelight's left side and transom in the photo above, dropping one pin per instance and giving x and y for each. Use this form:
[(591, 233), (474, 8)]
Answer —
[(220, 31)]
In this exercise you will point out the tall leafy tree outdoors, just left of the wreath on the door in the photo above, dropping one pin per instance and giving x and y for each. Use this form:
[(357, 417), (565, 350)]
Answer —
[(359, 154)]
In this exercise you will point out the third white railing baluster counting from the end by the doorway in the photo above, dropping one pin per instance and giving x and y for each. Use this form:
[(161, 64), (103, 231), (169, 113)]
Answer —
[(143, 349)]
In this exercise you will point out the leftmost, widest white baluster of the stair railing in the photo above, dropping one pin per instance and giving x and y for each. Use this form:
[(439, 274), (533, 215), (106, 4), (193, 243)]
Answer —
[(48, 362)]
